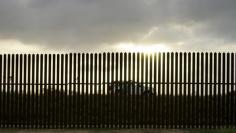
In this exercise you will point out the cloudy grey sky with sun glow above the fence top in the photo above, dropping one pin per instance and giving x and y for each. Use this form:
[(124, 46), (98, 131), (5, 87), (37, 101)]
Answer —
[(58, 26)]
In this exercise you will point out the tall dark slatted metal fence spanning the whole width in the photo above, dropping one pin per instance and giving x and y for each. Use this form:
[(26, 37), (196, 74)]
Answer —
[(118, 90)]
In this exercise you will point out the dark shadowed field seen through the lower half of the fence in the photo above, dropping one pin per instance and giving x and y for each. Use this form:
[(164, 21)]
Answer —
[(133, 110)]
